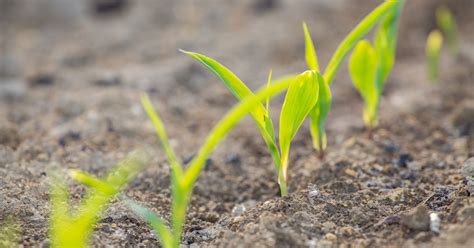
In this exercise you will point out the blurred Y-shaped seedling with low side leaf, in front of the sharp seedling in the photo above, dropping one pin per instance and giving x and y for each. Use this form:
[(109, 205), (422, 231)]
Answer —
[(183, 180)]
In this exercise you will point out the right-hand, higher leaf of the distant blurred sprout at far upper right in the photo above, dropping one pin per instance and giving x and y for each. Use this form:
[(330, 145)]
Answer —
[(448, 26)]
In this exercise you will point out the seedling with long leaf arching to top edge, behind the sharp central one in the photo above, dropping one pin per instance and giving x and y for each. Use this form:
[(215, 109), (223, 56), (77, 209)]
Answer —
[(320, 111)]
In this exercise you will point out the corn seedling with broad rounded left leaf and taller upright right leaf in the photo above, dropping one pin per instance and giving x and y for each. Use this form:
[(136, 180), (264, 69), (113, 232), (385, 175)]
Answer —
[(369, 66)]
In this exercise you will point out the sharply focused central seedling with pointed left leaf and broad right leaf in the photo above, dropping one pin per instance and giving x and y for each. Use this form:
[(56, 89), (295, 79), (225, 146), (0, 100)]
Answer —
[(302, 95)]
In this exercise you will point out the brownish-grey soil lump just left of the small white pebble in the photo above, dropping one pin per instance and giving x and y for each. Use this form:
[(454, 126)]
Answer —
[(416, 219)]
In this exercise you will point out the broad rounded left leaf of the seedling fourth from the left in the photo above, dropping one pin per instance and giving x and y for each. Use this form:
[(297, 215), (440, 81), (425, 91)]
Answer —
[(363, 69)]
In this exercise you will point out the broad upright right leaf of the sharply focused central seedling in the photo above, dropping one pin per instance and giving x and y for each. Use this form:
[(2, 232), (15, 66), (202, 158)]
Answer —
[(301, 97)]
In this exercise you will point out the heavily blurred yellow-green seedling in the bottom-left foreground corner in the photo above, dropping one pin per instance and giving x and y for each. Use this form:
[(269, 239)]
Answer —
[(73, 227)]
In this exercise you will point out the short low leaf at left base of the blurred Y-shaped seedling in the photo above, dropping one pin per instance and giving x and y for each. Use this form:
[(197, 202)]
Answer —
[(163, 232)]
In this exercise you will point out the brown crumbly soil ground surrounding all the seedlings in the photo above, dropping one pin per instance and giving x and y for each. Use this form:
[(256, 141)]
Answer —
[(71, 73)]
